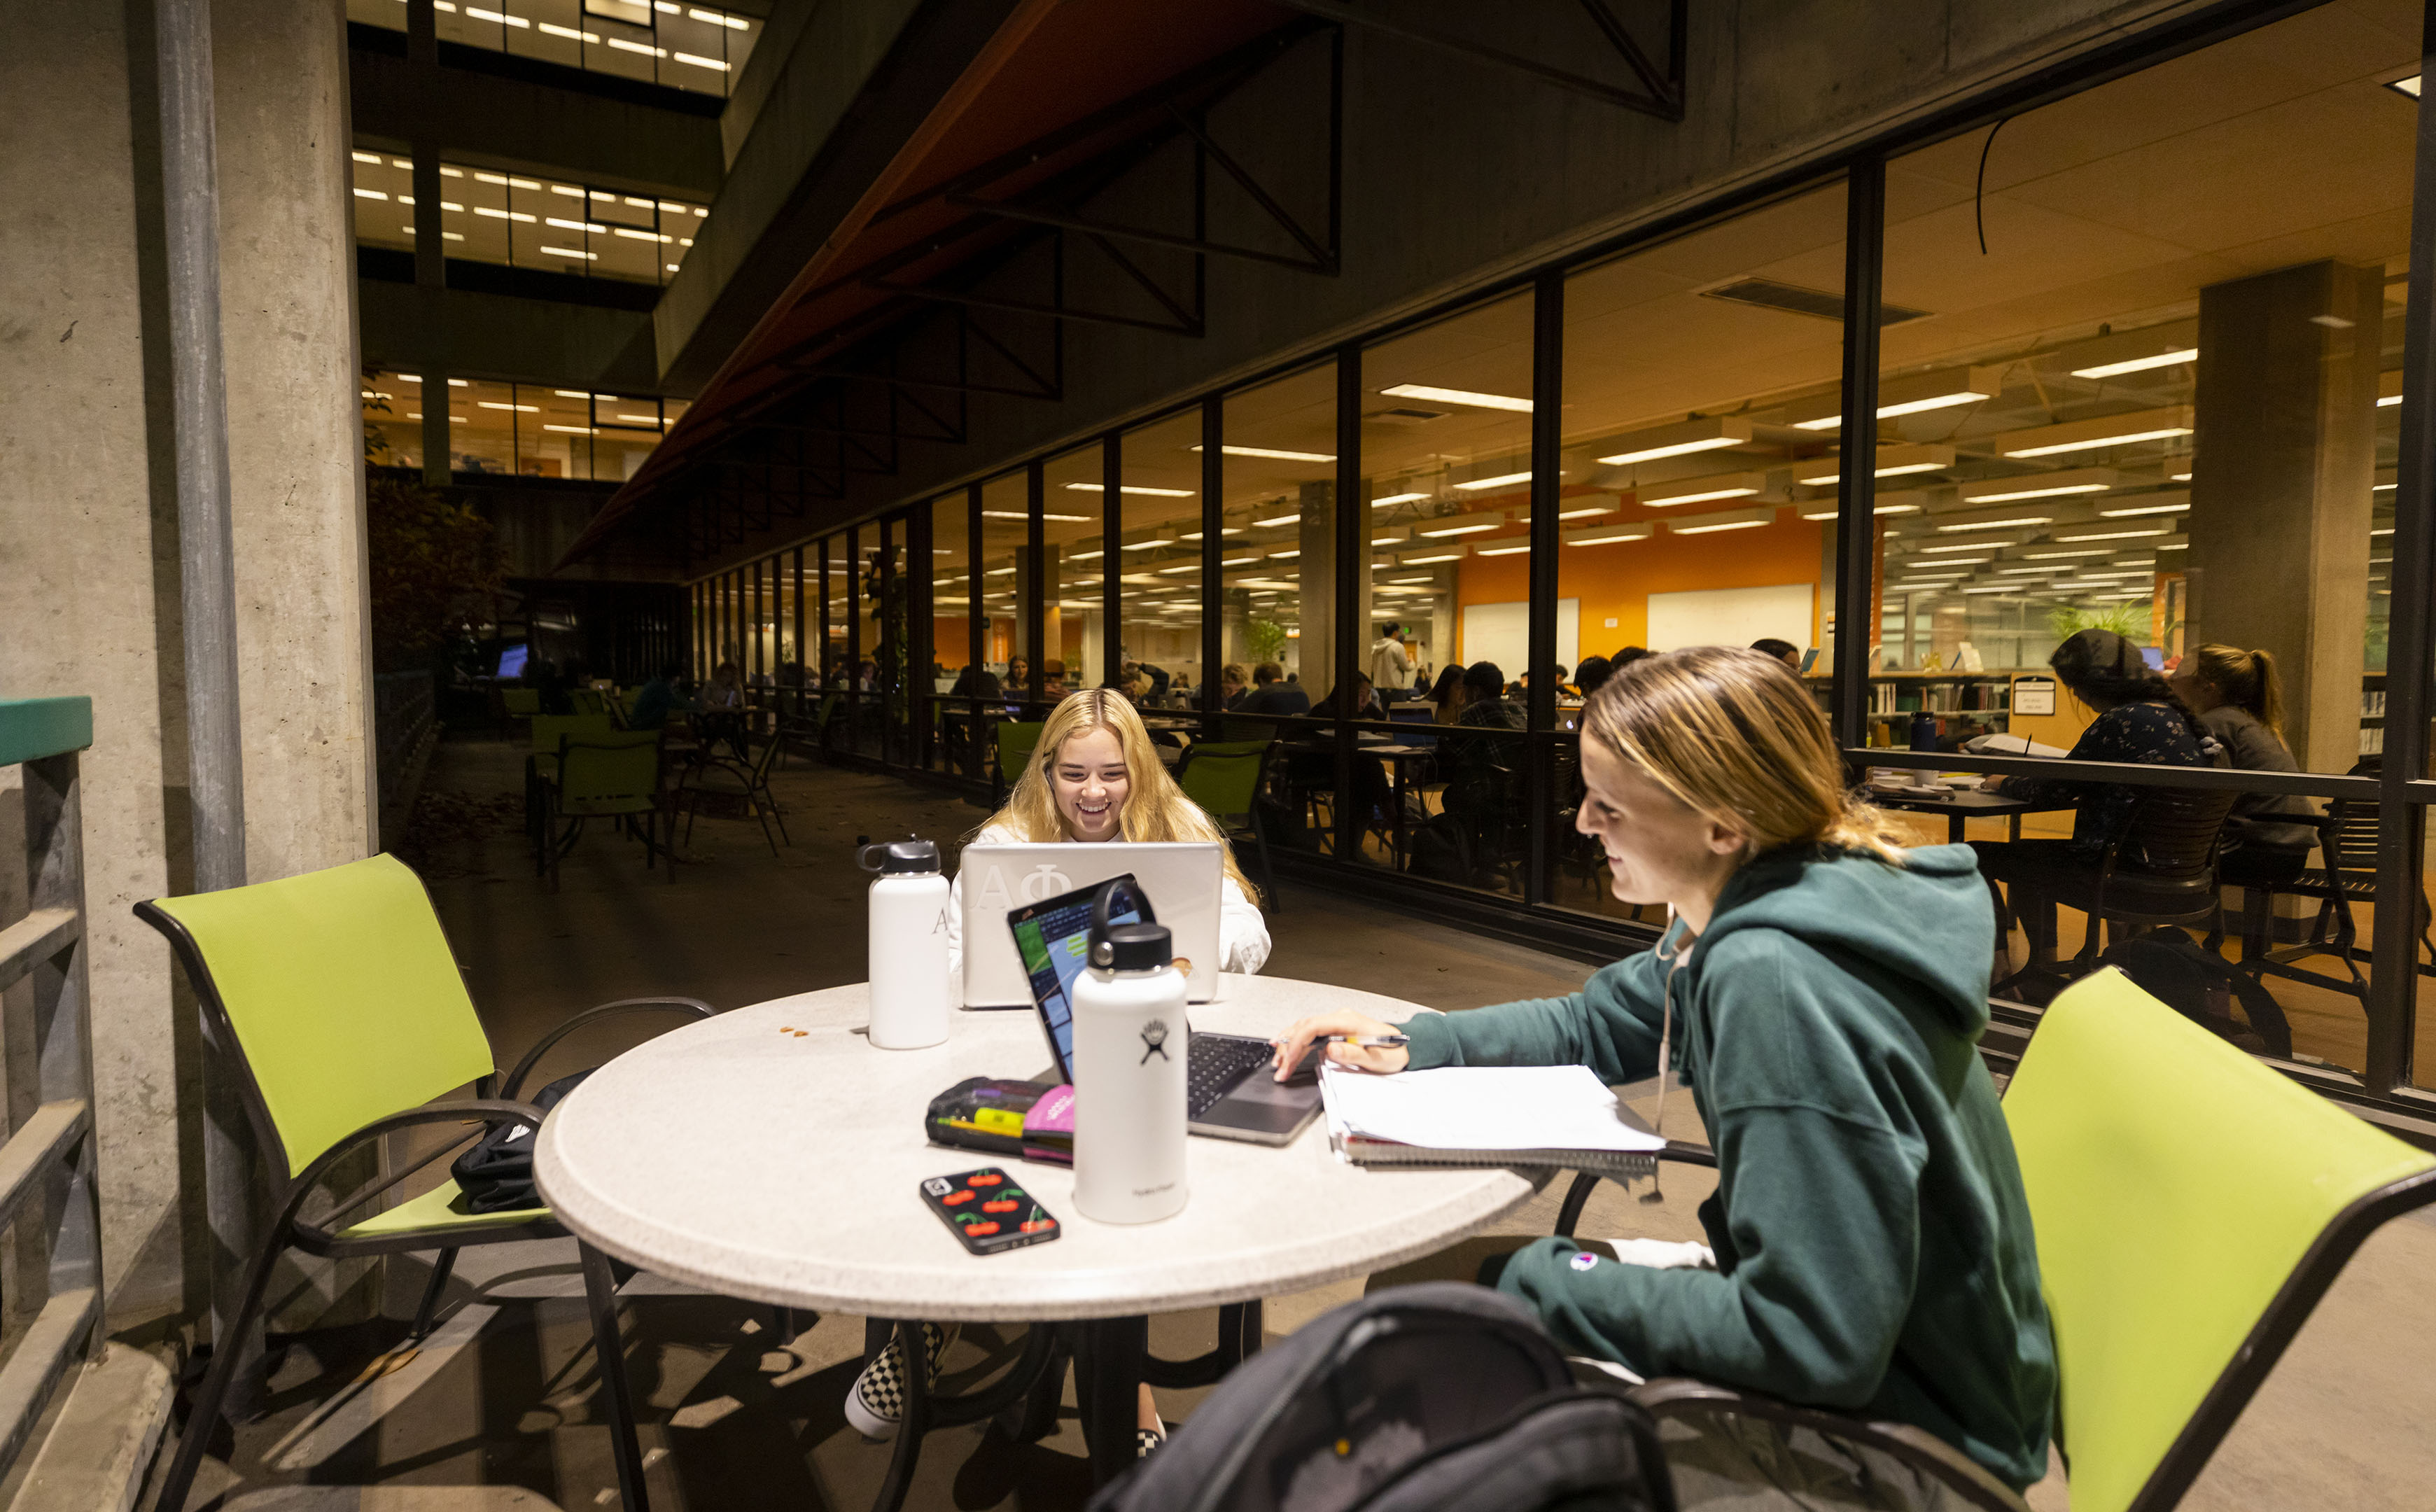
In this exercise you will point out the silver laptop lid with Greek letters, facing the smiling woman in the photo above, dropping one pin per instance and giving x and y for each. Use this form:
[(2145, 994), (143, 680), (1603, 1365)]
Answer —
[(1180, 878)]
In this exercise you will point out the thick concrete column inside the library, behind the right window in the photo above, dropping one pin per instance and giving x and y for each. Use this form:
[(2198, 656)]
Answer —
[(2281, 488)]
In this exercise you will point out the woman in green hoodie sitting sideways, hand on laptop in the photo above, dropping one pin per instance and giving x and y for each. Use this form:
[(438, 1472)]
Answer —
[(1823, 992)]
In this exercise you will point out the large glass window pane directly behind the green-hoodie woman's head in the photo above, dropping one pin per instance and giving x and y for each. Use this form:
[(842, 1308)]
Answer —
[(1675, 527)]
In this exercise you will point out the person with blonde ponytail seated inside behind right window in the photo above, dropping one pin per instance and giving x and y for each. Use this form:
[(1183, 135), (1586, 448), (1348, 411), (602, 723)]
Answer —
[(2240, 700)]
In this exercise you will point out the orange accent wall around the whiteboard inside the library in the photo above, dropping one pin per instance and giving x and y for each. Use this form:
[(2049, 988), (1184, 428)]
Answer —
[(1616, 581)]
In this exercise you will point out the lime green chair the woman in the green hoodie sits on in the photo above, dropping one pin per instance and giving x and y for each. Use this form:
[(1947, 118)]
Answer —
[(2191, 1209)]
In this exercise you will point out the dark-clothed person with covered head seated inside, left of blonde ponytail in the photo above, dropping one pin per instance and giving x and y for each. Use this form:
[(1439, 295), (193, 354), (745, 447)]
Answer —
[(2140, 719)]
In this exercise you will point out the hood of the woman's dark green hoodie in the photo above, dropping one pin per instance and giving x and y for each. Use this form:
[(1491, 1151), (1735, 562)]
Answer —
[(1928, 922)]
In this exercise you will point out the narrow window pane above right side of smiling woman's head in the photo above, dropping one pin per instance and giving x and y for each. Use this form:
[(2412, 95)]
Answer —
[(1163, 547)]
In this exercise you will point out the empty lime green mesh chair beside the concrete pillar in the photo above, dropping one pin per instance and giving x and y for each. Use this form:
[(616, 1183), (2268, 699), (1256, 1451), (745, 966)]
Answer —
[(347, 1014)]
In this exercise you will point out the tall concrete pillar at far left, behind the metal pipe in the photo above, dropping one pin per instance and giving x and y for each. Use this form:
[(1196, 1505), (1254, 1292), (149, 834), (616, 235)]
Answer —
[(89, 522)]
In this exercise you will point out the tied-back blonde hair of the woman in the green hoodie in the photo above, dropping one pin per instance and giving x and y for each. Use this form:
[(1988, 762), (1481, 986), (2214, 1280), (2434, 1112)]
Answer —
[(1736, 737)]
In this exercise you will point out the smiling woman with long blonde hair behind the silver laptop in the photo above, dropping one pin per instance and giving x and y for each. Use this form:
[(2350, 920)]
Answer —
[(1095, 775)]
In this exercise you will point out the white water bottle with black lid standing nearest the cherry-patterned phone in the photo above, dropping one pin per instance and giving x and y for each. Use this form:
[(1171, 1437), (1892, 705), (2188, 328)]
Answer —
[(1129, 1077)]
